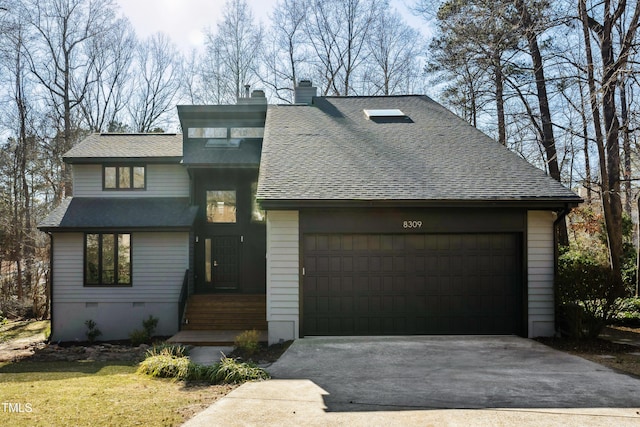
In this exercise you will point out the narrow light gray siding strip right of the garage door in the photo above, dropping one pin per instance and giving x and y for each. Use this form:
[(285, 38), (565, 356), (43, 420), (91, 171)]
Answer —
[(540, 273)]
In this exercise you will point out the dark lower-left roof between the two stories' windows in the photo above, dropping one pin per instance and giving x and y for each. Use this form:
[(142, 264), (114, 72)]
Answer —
[(87, 213)]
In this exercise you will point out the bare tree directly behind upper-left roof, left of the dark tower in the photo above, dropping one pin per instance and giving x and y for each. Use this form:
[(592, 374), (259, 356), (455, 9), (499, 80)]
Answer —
[(156, 85)]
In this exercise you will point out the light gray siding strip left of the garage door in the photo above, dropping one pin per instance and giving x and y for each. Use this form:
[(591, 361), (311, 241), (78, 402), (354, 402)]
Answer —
[(283, 276)]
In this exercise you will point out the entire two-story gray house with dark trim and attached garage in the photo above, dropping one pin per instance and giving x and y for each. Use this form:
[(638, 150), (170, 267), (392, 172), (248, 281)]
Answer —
[(331, 216)]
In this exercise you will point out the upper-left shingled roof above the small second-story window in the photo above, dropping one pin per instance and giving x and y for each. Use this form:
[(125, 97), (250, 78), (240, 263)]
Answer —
[(166, 147)]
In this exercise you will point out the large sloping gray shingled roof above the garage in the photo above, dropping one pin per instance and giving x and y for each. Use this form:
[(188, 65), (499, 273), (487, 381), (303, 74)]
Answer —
[(331, 151)]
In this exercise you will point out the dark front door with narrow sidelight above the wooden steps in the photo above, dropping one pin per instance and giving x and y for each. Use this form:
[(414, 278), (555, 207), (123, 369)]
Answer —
[(221, 263)]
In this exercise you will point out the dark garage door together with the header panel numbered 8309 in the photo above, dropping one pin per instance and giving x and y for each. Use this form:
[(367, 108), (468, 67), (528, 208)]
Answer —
[(444, 272)]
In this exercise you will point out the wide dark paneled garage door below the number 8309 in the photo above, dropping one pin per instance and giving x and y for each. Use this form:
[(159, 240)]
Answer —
[(412, 284)]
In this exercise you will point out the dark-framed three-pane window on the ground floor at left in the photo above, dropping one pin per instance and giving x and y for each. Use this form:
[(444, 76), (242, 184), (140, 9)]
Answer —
[(107, 259)]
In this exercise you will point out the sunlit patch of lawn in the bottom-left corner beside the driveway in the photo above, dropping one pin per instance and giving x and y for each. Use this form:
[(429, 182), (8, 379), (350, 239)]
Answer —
[(97, 393)]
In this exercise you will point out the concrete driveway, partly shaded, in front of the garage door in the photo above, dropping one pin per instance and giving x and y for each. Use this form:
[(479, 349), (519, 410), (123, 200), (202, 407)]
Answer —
[(418, 380)]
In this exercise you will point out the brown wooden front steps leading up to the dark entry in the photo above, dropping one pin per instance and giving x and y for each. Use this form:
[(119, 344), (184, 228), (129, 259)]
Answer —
[(225, 312)]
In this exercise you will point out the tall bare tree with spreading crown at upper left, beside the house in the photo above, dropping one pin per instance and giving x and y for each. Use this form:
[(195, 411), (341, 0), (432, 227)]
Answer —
[(60, 58)]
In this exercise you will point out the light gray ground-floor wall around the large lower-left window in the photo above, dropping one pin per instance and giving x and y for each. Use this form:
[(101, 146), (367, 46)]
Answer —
[(159, 261)]
